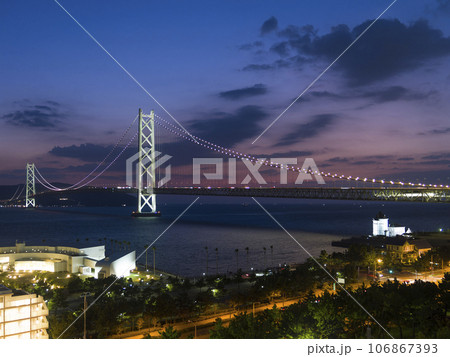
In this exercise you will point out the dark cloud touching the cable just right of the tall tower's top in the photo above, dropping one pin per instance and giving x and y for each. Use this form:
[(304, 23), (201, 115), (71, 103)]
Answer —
[(228, 129)]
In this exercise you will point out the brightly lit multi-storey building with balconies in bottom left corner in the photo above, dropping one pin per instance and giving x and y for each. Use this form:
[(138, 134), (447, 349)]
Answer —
[(22, 315)]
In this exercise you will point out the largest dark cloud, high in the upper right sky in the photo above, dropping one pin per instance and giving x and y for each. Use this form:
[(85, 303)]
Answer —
[(387, 49)]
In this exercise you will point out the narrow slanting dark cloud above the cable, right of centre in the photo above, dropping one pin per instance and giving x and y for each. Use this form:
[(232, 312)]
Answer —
[(310, 129)]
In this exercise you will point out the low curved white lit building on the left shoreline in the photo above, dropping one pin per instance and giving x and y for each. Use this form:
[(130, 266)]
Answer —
[(22, 258)]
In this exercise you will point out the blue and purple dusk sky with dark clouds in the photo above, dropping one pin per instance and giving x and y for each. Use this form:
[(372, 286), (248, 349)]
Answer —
[(225, 70)]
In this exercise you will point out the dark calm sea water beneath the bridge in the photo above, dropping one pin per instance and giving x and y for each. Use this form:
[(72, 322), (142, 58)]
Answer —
[(216, 234)]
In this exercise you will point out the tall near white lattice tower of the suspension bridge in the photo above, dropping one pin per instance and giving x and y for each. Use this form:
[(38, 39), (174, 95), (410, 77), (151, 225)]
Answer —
[(146, 167)]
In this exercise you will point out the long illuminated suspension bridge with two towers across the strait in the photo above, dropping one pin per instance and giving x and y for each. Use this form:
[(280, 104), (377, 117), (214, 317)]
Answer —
[(147, 188)]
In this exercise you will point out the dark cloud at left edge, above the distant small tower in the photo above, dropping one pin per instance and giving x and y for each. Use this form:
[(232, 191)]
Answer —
[(41, 116)]
